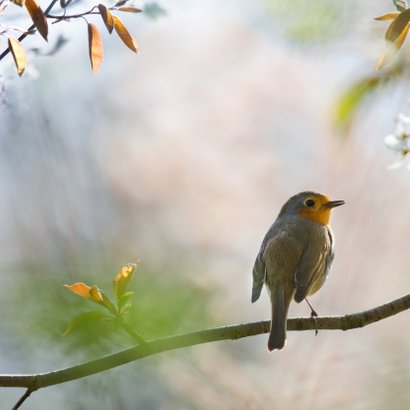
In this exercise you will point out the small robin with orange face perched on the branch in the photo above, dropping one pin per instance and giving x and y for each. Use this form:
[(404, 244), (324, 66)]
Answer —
[(295, 257)]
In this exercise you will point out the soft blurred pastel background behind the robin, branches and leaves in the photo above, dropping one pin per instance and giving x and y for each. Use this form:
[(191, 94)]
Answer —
[(182, 156)]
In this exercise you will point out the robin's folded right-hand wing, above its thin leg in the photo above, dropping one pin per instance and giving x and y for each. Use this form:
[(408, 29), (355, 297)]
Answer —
[(314, 265)]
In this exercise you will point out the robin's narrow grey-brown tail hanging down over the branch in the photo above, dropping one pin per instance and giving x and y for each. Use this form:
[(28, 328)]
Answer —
[(280, 306)]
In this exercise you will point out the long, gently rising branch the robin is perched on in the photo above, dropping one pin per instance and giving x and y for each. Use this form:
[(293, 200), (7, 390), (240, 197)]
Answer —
[(36, 381)]
